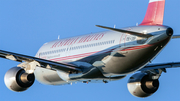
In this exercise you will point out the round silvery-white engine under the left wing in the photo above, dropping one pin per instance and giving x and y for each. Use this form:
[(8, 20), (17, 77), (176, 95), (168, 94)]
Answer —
[(16, 79)]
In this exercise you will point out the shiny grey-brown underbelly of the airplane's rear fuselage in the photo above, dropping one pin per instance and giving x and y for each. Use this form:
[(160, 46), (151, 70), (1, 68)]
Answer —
[(129, 60)]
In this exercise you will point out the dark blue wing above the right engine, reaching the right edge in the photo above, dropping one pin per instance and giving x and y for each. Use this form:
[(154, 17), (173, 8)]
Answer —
[(160, 66)]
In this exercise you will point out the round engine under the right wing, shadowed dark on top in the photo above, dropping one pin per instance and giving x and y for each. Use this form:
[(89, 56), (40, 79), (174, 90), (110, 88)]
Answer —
[(141, 85)]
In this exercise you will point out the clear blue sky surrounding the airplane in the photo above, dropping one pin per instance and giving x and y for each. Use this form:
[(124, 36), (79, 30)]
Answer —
[(26, 24)]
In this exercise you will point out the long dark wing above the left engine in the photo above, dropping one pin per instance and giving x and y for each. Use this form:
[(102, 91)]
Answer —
[(42, 62)]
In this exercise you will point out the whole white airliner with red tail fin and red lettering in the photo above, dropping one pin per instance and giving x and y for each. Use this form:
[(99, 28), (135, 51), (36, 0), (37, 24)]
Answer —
[(99, 57)]
